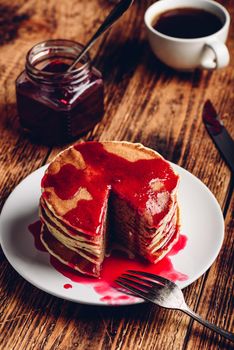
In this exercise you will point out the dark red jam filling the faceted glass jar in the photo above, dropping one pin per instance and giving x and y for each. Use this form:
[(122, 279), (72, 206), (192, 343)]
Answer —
[(58, 112)]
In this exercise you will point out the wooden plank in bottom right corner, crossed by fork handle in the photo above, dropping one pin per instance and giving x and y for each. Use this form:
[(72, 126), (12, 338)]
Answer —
[(216, 302)]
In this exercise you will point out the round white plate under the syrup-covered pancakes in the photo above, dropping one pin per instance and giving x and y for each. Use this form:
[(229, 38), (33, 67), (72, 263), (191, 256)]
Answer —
[(202, 223)]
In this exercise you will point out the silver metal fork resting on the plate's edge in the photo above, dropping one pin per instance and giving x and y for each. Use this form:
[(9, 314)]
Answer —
[(162, 292)]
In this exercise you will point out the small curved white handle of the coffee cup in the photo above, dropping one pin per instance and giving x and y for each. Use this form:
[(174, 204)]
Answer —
[(214, 55)]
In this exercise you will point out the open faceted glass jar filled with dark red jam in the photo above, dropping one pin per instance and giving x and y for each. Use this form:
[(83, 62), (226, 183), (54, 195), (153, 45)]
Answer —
[(56, 106)]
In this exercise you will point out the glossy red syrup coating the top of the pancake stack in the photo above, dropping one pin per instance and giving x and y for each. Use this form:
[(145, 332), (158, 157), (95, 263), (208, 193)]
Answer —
[(105, 171)]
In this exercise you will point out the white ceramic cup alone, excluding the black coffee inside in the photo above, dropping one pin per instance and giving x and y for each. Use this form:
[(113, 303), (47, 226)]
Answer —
[(208, 52)]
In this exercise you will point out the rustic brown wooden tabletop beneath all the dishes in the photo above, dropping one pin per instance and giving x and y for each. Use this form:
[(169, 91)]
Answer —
[(144, 102)]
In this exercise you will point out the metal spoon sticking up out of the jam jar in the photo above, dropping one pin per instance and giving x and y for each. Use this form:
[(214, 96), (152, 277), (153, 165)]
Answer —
[(113, 16)]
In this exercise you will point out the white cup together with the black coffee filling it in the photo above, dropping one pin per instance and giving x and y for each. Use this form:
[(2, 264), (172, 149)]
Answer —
[(186, 35)]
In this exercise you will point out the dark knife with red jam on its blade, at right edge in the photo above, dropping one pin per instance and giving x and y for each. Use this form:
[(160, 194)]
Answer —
[(218, 133)]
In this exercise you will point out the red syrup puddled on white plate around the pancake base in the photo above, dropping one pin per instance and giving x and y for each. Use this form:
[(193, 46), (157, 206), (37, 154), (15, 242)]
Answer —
[(114, 265)]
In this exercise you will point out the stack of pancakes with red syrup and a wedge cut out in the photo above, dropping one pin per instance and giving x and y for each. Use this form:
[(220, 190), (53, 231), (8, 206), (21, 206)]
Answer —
[(95, 194)]
